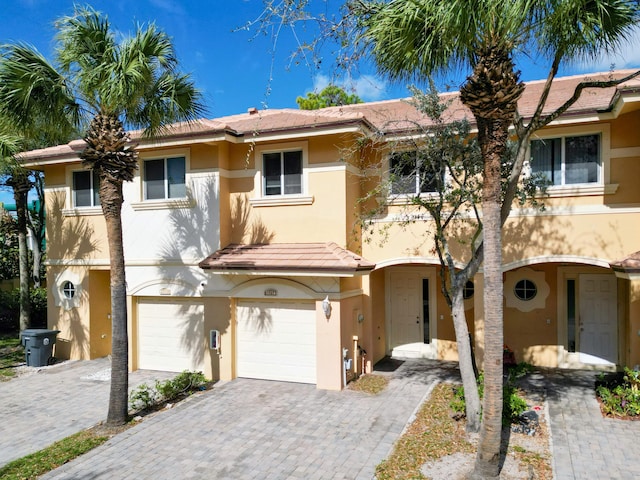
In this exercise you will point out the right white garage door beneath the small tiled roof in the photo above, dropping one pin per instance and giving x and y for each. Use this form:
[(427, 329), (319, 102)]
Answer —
[(277, 341)]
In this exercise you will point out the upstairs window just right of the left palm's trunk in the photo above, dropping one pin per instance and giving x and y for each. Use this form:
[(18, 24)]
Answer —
[(165, 178)]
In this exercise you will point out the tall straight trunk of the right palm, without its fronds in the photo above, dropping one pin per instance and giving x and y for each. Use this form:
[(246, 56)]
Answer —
[(492, 136)]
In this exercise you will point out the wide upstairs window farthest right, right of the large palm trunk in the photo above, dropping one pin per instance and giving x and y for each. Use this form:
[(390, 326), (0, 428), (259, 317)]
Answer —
[(567, 160)]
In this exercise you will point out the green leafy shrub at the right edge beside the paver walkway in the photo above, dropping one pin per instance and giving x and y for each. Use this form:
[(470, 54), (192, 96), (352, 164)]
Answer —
[(619, 394)]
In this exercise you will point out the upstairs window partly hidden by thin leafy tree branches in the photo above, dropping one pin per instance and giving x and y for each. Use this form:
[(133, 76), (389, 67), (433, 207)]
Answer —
[(411, 176)]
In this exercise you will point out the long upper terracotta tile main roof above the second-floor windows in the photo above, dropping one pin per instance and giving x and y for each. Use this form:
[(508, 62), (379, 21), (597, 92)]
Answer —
[(389, 117)]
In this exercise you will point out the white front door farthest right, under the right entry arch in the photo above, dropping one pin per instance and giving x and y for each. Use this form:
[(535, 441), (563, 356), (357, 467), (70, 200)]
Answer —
[(598, 328)]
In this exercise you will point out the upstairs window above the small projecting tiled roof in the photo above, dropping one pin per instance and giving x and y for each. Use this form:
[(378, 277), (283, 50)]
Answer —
[(282, 173)]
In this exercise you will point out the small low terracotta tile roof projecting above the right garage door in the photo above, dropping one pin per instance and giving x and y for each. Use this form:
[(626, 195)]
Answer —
[(290, 257)]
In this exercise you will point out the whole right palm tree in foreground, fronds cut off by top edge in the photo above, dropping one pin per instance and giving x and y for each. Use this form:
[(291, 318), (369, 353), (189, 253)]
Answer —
[(412, 39)]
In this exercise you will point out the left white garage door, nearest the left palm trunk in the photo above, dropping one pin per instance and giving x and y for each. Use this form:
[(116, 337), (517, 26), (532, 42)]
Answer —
[(170, 335)]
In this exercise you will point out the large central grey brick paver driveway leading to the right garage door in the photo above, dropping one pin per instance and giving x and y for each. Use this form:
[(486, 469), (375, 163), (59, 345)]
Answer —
[(247, 429)]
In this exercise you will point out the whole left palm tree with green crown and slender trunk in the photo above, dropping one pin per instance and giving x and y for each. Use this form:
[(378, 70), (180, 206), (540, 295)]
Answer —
[(133, 83)]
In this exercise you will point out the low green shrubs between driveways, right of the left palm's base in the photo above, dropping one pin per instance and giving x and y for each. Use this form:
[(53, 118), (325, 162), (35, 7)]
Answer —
[(145, 398)]
